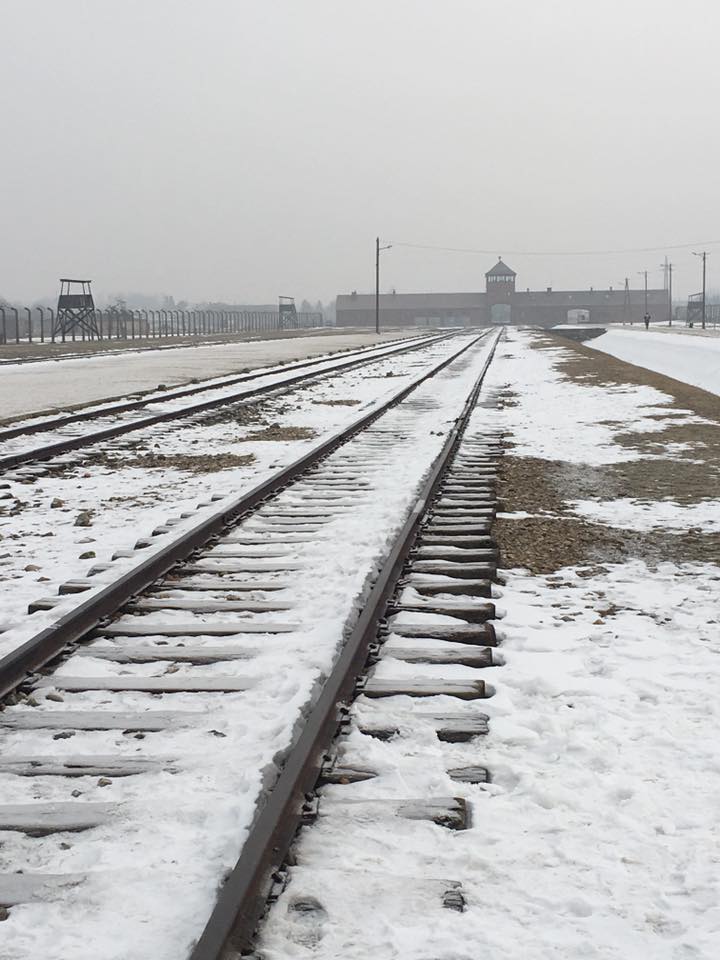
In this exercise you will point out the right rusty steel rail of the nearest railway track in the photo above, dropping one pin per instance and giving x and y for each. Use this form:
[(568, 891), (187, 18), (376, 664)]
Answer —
[(241, 902)]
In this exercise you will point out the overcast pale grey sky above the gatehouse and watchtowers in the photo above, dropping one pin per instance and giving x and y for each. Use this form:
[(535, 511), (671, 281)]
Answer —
[(236, 150)]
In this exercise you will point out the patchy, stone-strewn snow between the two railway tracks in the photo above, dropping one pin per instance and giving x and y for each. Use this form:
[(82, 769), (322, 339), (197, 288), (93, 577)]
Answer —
[(41, 547)]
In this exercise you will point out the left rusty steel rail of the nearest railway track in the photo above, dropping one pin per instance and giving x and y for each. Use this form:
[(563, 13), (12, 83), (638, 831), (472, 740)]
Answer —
[(44, 646)]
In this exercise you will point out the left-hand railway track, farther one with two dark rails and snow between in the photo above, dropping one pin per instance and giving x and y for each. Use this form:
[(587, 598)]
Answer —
[(60, 435)]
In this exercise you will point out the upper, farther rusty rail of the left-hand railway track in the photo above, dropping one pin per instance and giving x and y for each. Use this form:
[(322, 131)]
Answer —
[(97, 413)]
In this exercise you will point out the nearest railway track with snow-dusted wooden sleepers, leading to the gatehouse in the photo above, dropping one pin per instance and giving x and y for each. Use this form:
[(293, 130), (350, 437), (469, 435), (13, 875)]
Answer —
[(232, 629)]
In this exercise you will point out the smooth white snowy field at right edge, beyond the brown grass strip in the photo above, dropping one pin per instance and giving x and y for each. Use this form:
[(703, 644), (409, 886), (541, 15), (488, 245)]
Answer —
[(694, 360)]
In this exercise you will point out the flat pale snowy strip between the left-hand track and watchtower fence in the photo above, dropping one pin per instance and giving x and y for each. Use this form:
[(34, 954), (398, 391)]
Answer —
[(33, 387)]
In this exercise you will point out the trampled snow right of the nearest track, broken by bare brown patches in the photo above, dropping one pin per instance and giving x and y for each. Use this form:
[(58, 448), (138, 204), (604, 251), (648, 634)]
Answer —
[(603, 730)]
